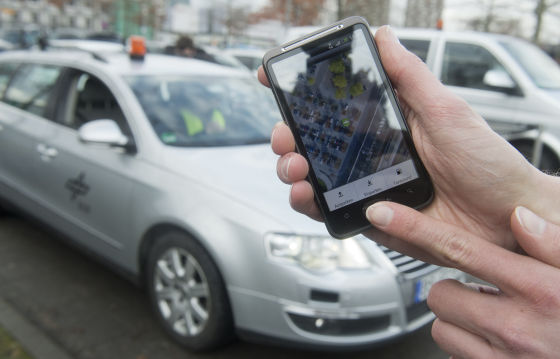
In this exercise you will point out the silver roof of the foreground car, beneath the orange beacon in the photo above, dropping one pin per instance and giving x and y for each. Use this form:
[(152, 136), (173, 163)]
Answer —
[(120, 63)]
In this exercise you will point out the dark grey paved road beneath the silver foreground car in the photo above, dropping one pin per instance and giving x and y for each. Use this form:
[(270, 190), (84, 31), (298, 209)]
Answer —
[(92, 313)]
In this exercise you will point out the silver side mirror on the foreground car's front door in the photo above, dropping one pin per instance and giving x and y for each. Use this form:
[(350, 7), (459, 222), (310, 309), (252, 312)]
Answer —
[(105, 132)]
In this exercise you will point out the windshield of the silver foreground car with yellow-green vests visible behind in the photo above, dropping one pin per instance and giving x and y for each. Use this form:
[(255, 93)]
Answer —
[(206, 111)]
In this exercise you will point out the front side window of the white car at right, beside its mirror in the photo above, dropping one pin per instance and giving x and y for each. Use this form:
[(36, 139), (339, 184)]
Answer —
[(465, 65)]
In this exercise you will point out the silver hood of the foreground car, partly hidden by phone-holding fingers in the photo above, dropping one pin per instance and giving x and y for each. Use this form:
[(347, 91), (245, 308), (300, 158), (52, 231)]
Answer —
[(246, 174)]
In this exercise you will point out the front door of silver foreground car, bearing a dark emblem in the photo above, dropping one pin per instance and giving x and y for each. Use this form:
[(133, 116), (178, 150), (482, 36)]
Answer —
[(88, 185)]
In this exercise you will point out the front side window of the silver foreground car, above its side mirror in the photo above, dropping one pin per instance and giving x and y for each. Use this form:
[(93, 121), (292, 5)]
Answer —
[(90, 99)]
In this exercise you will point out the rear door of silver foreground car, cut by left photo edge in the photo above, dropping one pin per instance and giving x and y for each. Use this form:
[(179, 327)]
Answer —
[(24, 132)]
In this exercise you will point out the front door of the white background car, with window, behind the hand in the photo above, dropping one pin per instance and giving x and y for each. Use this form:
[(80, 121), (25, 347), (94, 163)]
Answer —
[(467, 69)]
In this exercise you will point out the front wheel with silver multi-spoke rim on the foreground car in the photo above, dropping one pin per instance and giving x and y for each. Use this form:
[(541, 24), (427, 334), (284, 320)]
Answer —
[(187, 293)]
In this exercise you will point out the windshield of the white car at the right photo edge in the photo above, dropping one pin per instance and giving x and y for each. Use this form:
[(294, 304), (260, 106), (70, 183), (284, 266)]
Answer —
[(544, 72)]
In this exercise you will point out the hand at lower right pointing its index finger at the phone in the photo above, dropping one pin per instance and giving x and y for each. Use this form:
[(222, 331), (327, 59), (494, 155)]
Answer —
[(520, 319)]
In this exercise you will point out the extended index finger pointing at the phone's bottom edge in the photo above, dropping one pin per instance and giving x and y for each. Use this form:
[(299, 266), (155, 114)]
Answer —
[(453, 246)]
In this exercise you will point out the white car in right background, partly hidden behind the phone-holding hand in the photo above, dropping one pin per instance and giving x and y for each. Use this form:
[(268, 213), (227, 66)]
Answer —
[(513, 84)]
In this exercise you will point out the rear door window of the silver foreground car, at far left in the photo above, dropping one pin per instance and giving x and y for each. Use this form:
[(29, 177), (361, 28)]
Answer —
[(31, 87)]
